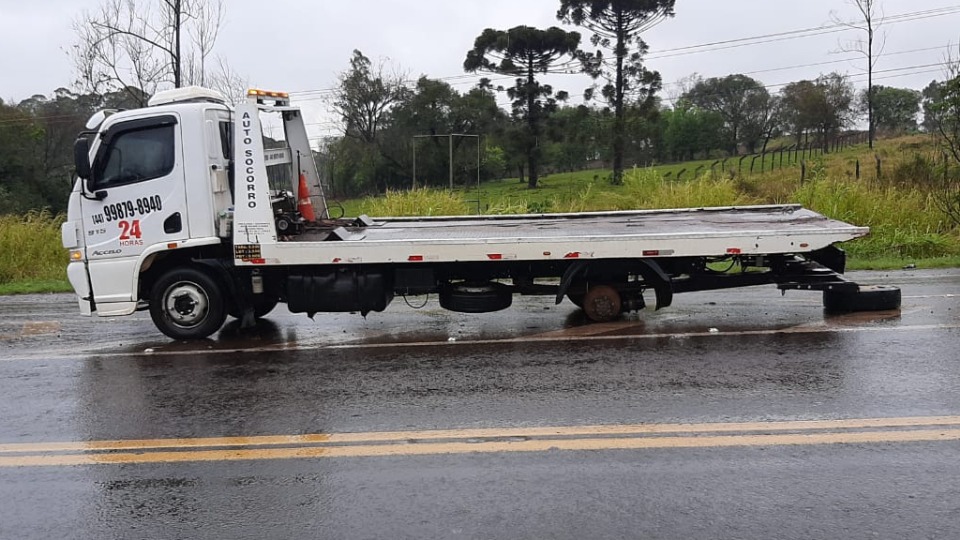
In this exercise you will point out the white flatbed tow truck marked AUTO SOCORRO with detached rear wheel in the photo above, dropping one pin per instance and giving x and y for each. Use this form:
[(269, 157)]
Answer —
[(187, 207)]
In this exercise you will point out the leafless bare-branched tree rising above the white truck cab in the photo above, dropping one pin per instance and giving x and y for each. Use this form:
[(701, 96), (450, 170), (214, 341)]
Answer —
[(130, 44)]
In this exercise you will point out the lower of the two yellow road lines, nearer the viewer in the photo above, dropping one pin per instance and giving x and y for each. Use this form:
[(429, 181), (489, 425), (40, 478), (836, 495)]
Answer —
[(786, 439)]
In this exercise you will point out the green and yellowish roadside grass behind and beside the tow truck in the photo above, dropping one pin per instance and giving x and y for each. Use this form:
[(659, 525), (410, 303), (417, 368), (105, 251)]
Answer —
[(898, 205)]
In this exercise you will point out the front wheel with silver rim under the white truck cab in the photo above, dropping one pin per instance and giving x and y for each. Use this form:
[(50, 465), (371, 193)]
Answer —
[(186, 303)]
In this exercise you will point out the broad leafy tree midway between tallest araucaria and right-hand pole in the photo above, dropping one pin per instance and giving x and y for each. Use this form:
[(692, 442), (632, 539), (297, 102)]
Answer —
[(743, 103)]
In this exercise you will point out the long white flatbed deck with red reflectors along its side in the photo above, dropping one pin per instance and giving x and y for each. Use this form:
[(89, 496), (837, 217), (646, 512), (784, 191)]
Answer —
[(686, 232)]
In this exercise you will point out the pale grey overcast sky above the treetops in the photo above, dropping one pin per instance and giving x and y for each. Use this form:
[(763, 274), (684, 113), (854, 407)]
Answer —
[(301, 45)]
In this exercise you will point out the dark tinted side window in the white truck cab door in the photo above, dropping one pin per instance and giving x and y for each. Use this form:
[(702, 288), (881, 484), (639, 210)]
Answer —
[(136, 156)]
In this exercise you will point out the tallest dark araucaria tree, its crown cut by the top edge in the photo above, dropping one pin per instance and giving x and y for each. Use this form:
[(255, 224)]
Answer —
[(617, 26)]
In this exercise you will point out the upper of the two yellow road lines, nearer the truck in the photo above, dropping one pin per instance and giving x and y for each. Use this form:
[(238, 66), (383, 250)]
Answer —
[(482, 433)]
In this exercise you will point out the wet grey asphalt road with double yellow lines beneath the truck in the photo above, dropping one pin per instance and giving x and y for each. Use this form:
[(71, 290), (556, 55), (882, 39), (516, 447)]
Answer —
[(340, 420)]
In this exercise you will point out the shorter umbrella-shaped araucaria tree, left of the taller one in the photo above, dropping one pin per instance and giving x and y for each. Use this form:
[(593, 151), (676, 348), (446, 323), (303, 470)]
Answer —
[(525, 52)]
